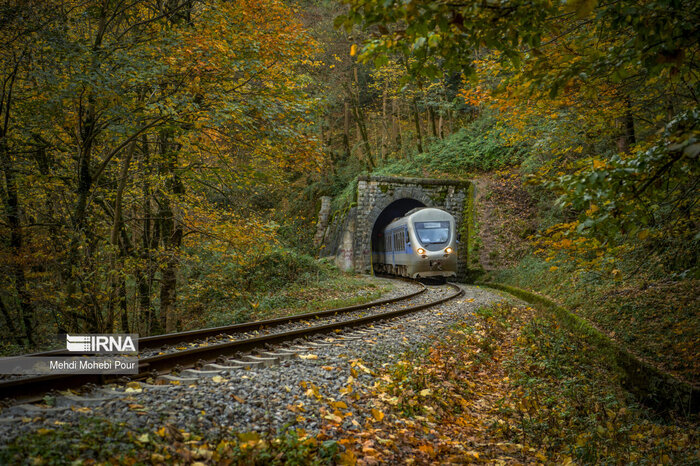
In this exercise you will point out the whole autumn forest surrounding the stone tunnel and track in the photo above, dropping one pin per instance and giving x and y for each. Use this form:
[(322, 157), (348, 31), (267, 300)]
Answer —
[(162, 161)]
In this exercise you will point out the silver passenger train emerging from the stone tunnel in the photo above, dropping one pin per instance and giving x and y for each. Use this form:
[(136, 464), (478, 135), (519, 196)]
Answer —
[(421, 244)]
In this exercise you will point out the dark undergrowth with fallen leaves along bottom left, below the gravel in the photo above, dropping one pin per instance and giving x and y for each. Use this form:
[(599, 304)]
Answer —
[(103, 442)]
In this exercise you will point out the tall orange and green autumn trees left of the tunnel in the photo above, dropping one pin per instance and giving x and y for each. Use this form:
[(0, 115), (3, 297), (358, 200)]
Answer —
[(134, 136)]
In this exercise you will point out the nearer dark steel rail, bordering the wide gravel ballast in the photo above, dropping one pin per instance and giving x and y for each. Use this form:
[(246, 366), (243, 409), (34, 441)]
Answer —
[(32, 388)]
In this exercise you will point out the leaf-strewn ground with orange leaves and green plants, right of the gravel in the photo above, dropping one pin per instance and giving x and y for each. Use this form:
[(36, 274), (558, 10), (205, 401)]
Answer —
[(512, 386)]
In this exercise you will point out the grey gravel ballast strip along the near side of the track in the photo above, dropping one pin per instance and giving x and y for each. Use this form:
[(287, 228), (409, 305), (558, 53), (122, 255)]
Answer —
[(264, 399)]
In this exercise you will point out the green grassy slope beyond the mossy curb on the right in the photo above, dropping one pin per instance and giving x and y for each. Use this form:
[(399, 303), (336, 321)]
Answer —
[(658, 320)]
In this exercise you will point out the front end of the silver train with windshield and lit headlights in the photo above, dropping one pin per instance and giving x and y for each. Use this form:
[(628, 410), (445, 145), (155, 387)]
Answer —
[(434, 243)]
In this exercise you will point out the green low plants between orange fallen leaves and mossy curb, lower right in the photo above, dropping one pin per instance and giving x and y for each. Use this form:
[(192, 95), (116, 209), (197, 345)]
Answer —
[(571, 403)]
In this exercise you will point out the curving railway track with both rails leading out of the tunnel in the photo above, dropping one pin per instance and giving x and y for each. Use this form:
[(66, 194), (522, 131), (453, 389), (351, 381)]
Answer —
[(212, 348)]
